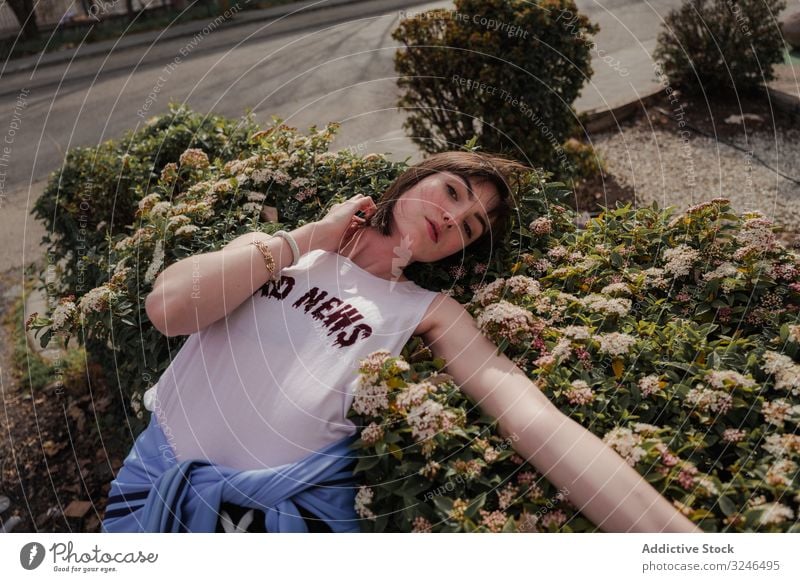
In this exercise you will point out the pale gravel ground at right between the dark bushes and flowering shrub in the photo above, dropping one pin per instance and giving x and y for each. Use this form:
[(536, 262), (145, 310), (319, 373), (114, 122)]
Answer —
[(681, 170)]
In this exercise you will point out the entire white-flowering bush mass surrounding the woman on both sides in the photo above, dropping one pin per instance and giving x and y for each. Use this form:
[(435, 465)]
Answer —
[(675, 339)]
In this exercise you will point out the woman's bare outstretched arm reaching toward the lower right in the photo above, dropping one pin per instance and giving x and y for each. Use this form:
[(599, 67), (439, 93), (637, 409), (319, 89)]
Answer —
[(596, 479)]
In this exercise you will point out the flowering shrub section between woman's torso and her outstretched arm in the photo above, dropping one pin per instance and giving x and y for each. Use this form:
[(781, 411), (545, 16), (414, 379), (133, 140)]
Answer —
[(432, 462)]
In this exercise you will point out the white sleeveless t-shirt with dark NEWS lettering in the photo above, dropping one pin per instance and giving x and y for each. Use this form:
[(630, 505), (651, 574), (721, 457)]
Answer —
[(273, 382)]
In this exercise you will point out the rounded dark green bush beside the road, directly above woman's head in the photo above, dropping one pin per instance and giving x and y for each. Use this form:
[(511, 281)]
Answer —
[(507, 72)]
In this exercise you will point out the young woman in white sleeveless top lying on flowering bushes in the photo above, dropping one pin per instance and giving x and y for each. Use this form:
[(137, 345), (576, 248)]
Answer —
[(249, 431)]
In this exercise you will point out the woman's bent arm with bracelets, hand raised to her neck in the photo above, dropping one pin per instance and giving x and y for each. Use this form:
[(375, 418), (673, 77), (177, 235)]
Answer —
[(197, 291)]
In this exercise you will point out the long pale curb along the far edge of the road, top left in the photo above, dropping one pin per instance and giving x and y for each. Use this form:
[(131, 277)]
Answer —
[(106, 47)]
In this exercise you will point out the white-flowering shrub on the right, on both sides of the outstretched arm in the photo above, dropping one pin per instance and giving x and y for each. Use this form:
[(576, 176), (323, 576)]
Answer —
[(674, 339)]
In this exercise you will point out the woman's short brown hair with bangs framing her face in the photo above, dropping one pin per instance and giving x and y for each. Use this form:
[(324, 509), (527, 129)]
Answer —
[(497, 169)]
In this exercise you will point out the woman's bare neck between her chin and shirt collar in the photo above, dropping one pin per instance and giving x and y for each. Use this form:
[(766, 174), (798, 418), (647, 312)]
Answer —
[(377, 254)]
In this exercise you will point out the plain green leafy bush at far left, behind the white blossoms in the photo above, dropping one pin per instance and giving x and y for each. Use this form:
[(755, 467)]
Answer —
[(95, 193)]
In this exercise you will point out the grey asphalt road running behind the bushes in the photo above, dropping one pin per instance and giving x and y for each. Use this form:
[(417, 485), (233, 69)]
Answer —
[(329, 65)]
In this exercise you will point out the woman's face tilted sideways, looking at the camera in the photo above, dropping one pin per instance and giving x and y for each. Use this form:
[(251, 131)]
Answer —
[(442, 214)]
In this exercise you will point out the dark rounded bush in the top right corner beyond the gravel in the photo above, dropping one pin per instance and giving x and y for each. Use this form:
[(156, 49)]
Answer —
[(712, 46)]
